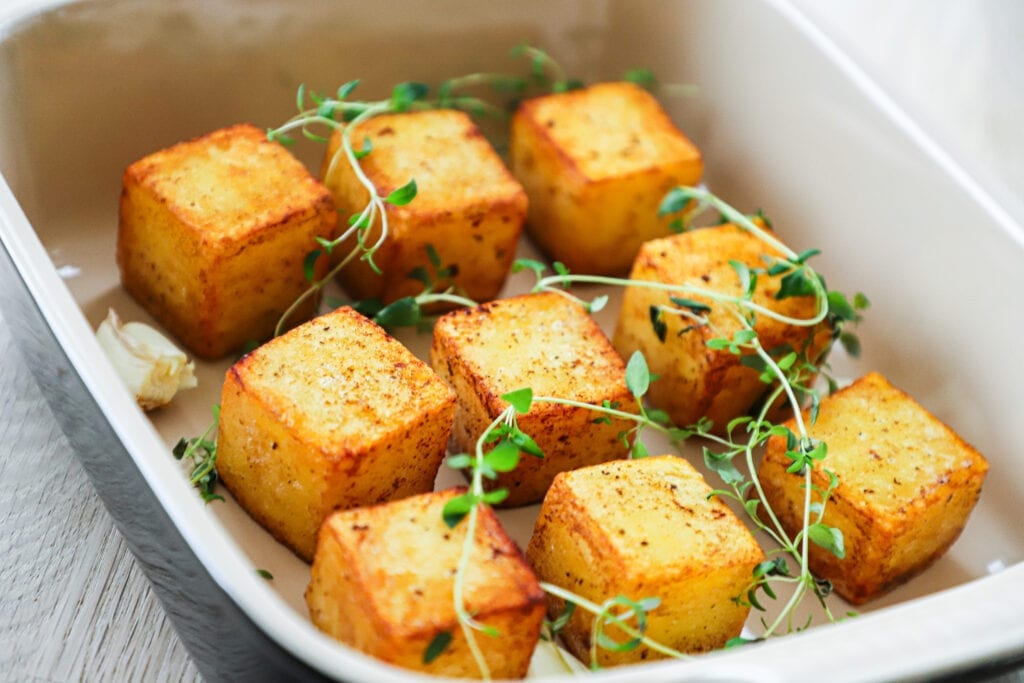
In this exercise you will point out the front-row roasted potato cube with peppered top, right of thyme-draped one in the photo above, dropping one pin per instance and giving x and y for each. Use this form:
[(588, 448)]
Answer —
[(645, 529)]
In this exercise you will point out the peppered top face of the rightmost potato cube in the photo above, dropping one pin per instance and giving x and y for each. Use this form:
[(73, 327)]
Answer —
[(887, 448)]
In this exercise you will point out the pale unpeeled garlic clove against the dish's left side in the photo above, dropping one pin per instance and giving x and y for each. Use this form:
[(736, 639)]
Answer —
[(151, 366)]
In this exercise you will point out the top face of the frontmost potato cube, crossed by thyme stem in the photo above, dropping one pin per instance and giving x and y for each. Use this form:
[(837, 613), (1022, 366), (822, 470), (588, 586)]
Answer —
[(406, 549)]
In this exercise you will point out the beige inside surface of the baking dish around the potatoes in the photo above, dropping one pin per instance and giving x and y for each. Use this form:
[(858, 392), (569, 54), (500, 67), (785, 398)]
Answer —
[(89, 89)]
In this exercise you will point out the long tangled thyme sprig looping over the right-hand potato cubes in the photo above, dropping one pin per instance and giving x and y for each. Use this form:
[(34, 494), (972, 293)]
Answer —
[(786, 371)]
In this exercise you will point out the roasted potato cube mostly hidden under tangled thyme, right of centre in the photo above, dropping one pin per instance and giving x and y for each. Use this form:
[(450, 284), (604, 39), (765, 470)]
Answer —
[(697, 381)]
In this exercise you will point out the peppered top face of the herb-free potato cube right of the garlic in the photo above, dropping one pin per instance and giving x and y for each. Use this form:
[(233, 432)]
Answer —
[(340, 380)]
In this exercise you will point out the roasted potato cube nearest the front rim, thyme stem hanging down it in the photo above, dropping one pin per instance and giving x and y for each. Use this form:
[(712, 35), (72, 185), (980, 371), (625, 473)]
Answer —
[(382, 582)]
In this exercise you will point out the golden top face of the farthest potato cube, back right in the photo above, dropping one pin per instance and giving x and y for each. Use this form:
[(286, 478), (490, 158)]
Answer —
[(610, 130)]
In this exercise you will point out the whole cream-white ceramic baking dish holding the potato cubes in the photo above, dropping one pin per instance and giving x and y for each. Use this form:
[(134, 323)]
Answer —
[(786, 122)]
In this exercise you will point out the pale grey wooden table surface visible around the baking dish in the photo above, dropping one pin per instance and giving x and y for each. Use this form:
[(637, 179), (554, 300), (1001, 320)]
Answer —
[(75, 606)]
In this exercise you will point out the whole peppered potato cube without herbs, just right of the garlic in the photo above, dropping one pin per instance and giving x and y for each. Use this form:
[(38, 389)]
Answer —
[(334, 414)]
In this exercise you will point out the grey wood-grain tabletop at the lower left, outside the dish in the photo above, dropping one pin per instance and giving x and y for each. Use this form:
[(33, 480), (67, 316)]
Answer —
[(75, 606)]
